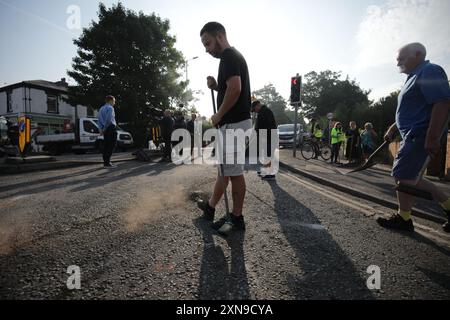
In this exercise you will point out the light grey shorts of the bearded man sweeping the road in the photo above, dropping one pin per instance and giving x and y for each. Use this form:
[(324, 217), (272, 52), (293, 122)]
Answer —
[(233, 149)]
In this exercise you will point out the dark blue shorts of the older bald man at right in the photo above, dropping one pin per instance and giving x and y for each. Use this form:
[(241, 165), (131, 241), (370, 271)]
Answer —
[(410, 158)]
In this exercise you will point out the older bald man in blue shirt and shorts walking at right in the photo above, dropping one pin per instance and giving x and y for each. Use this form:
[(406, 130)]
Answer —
[(421, 118)]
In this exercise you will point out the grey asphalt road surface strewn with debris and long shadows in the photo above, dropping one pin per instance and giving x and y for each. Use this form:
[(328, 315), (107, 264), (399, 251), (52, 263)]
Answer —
[(135, 234)]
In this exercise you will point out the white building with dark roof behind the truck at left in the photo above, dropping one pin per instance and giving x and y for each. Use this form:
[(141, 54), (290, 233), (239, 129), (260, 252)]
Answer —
[(44, 102)]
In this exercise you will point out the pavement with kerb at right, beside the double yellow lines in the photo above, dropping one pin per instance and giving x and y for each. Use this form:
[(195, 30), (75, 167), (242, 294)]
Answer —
[(374, 184)]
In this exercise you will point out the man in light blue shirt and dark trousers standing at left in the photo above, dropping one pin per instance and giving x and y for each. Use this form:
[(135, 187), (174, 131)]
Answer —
[(107, 124)]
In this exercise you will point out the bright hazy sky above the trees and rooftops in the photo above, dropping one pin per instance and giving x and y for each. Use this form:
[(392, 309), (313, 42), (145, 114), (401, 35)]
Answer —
[(278, 39)]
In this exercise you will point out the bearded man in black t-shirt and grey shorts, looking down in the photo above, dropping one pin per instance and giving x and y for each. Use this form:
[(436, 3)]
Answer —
[(234, 102)]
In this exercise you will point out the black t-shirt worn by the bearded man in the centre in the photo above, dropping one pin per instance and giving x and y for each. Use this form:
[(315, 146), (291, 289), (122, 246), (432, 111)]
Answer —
[(232, 63)]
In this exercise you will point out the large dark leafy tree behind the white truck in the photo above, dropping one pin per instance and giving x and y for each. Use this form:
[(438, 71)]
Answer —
[(132, 57)]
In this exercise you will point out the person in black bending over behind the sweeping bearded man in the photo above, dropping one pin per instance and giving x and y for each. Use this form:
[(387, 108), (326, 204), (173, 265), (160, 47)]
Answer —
[(265, 121)]
